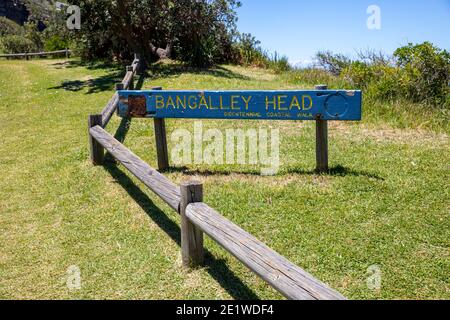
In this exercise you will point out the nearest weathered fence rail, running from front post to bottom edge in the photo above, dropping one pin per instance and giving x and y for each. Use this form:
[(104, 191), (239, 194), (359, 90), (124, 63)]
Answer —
[(290, 280)]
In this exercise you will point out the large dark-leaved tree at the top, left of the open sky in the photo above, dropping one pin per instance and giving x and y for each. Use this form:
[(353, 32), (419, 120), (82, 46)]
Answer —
[(196, 31)]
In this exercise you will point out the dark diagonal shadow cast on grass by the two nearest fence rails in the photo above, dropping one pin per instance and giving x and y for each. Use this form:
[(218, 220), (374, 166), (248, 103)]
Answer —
[(217, 268)]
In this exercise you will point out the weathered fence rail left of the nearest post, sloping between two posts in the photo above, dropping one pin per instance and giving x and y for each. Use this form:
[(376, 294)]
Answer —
[(158, 183)]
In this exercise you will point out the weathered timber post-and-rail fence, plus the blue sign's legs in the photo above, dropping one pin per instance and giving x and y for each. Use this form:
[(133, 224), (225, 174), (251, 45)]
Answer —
[(197, 217)]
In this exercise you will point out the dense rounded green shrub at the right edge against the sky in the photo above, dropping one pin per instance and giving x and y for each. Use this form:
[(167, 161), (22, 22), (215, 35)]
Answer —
[(425, 73)]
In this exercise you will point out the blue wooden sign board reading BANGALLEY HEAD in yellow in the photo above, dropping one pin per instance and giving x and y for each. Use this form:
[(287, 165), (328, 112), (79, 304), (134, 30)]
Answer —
[(262, 105)]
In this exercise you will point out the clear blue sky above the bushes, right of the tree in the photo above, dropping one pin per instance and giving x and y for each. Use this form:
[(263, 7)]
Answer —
[(299, 28)]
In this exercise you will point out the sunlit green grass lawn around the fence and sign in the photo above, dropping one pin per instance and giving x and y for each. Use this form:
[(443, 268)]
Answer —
[(385, 202)]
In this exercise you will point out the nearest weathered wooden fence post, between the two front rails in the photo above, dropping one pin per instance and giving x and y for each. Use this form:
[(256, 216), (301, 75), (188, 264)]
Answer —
[(191, 236)]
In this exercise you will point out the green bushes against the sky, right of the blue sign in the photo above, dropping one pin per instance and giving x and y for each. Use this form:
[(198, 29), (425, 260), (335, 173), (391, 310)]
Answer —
[(419, 73)]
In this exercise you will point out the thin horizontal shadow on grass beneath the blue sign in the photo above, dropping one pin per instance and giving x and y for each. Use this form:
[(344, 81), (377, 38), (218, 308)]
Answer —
[(337, 171)]
